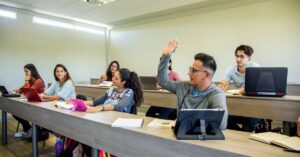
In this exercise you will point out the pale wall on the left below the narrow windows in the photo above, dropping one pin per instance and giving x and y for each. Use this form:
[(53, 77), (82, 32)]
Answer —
[(22, 42)]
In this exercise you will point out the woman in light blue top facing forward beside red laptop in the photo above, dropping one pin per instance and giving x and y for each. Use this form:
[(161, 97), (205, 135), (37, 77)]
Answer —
[(63, 88)]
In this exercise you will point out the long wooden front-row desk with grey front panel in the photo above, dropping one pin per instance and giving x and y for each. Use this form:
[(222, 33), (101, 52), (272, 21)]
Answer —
[(94, 129)]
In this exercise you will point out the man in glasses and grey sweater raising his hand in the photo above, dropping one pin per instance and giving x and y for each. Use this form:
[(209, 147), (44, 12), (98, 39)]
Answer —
[(200, 92)]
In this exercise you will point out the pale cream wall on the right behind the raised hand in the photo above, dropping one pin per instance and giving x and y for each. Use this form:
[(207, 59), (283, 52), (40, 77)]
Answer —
[(272, 28)]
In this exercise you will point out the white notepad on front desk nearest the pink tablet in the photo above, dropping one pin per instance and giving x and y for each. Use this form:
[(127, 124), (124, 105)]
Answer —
[(128, 123)]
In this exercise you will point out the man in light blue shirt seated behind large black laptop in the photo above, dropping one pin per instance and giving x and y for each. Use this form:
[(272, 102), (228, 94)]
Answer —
[(236, 73)]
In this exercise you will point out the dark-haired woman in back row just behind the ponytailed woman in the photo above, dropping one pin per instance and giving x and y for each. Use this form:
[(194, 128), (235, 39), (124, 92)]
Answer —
[(113, 67)]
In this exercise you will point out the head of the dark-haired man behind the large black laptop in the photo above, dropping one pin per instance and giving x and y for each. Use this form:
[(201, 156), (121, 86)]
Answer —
[(243, 55)]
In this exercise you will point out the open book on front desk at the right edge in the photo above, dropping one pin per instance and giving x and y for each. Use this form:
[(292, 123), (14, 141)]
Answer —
[(292, 143)]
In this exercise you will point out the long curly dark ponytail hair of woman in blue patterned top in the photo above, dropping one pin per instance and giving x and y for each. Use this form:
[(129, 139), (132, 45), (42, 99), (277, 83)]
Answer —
[(132, 82)]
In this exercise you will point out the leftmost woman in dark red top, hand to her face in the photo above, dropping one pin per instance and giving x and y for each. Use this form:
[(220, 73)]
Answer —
[(32, 80)]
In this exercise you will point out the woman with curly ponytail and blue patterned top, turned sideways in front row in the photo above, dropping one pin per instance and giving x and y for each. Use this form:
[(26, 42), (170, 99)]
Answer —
[(126, 94)]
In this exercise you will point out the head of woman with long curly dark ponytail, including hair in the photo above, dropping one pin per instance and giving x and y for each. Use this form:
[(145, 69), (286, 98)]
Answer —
[(129, 79)]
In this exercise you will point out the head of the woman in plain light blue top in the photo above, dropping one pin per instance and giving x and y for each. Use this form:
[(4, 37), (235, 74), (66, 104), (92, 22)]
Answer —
[(61, 73)]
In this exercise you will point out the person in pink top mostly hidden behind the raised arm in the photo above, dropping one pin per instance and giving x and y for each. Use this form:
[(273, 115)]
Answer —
[(163, 112)]
